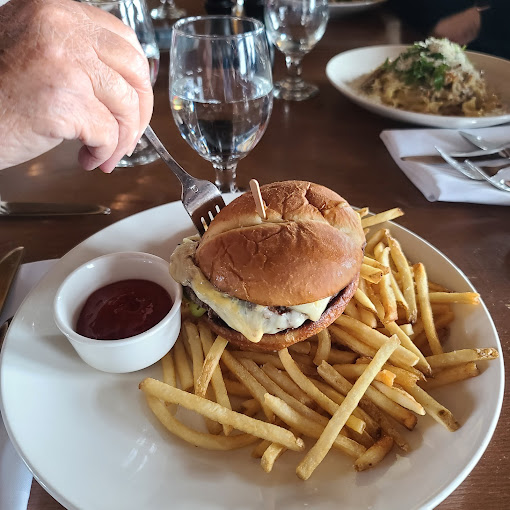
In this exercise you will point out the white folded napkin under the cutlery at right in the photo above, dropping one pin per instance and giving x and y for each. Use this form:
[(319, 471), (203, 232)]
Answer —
[(441, 182)]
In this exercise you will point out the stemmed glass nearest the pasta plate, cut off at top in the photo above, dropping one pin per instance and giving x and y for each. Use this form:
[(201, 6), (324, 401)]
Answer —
[(295, 27)]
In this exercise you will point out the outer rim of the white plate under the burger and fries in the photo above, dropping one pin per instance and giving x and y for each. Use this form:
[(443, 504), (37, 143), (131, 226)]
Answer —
[(430, 504)]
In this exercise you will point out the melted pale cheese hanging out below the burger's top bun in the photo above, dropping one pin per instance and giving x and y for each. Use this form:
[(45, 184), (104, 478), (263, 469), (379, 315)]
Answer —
[(250, 319)]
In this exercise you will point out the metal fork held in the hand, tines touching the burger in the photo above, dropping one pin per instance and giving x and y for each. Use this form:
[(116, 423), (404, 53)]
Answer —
[(201, 199)]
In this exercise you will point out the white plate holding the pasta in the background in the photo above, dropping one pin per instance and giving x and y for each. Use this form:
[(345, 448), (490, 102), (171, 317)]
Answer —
[(350, 65)]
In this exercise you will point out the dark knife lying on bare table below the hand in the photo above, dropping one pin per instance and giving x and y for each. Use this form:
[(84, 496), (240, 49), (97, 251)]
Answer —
[(49, 209)]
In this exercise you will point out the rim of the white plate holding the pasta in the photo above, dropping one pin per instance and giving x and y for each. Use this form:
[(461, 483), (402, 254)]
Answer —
[(403, 115)]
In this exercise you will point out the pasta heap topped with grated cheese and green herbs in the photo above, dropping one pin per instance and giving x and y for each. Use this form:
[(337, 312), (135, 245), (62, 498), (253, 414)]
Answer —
[(434, 76)]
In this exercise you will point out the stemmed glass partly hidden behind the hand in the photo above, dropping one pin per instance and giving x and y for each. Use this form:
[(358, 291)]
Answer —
[(134, 13)]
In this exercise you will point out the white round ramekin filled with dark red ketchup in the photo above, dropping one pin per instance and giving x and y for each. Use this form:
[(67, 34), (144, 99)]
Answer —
[(121, 311)]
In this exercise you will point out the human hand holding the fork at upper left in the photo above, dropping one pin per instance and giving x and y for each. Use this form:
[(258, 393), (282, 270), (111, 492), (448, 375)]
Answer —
[(70, 71)]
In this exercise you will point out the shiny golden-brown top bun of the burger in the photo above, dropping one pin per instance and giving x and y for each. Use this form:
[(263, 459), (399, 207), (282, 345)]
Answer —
[(310, 246)]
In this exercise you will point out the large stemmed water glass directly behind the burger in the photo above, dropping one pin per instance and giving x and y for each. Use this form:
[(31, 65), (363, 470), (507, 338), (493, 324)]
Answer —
[(221, 88)]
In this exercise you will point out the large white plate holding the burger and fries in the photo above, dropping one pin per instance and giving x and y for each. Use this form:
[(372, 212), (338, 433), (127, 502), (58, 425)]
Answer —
[(90, 440)]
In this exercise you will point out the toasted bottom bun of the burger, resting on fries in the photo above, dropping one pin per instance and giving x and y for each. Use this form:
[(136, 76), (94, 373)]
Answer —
[(290, 336)]
